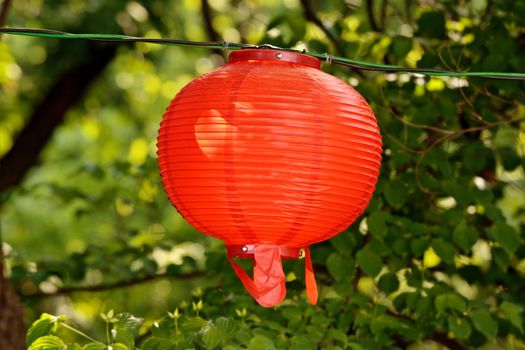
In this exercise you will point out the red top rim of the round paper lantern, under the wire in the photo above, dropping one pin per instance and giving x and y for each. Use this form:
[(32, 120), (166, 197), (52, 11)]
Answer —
[(274, 55)]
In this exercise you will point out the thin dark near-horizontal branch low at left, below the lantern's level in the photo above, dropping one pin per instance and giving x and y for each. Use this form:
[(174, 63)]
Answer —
[(115, 285)]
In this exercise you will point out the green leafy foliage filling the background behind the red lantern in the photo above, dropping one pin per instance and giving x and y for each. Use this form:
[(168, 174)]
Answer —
[(437, 260)]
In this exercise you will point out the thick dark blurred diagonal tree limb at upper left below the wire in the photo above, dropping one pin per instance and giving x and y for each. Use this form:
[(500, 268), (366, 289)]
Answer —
[(64, 93)]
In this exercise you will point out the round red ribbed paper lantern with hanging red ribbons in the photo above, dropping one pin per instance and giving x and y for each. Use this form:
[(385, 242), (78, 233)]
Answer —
[(269, 154)]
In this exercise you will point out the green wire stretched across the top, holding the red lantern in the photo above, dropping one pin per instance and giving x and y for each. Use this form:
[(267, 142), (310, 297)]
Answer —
[(356, 64)]
